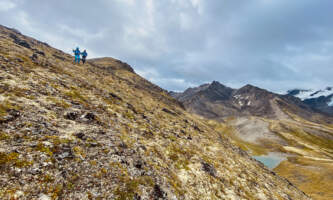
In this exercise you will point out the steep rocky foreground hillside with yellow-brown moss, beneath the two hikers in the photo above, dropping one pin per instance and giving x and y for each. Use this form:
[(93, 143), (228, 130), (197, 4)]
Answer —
[(100, 131)]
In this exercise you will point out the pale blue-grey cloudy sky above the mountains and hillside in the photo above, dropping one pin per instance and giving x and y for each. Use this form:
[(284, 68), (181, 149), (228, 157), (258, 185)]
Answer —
[(273, 44)]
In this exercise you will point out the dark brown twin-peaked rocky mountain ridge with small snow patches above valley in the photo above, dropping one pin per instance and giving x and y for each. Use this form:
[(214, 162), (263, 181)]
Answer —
[(216, 101)]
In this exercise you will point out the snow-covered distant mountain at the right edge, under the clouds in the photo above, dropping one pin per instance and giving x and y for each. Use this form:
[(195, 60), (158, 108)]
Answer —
[(321, 100)]
